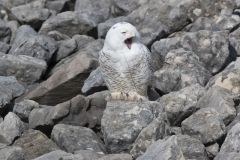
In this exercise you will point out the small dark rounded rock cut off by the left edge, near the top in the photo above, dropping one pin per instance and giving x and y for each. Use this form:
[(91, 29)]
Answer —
[(5, 32)]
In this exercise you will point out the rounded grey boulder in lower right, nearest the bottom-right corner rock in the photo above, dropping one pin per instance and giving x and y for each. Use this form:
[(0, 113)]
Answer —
[(205, 125)]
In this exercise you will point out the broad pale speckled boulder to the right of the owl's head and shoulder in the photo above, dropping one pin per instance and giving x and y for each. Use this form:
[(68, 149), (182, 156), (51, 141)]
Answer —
[(207, 45)]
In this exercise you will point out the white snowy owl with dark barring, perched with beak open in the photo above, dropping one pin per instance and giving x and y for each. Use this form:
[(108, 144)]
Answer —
[(125, 63)]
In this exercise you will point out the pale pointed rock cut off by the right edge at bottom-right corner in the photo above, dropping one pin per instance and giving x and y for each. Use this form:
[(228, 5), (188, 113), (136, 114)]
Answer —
[(231, 142)]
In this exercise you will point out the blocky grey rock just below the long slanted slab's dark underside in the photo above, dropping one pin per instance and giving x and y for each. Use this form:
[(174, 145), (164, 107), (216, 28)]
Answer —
[(46, 116)]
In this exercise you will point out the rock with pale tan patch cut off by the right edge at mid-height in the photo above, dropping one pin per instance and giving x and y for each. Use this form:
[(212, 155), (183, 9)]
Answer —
[(229, 78)]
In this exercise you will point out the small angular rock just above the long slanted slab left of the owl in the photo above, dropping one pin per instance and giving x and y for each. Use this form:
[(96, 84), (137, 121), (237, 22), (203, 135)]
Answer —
[(66, 47)]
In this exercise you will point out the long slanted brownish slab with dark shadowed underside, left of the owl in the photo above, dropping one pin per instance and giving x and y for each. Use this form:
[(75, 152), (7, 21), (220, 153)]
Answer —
[(65, 83)]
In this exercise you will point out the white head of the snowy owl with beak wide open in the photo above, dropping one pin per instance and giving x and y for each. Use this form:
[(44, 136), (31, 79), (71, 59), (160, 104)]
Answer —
[(122, 35)]
